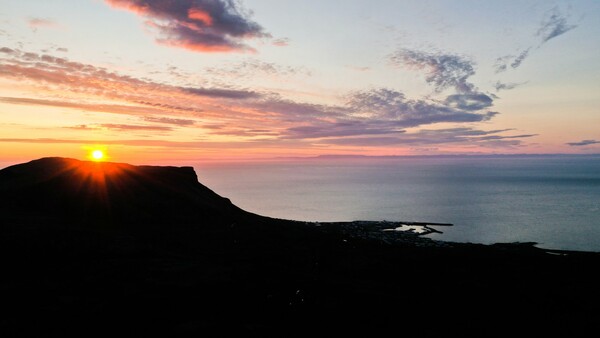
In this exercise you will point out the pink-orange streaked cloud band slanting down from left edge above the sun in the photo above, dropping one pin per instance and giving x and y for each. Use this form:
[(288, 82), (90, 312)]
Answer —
[(129, 95)]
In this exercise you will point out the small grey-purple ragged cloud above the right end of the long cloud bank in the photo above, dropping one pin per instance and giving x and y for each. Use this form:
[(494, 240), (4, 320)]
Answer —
[(443, 70)]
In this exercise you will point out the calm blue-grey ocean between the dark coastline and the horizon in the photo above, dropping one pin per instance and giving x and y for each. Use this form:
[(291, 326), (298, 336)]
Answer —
[(551, 200)]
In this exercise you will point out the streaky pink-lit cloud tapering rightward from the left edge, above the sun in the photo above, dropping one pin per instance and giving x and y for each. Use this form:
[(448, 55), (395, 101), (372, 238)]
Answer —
[(61, 74)]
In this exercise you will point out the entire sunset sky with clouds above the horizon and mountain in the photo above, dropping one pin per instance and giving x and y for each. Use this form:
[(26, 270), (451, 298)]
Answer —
[(163, 81)]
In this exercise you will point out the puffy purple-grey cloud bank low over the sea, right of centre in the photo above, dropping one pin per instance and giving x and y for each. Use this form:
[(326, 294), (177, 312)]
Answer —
[(385, 111)]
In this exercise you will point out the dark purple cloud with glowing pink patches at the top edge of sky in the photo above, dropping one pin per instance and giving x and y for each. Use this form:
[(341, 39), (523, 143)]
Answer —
[(197, 25)]
